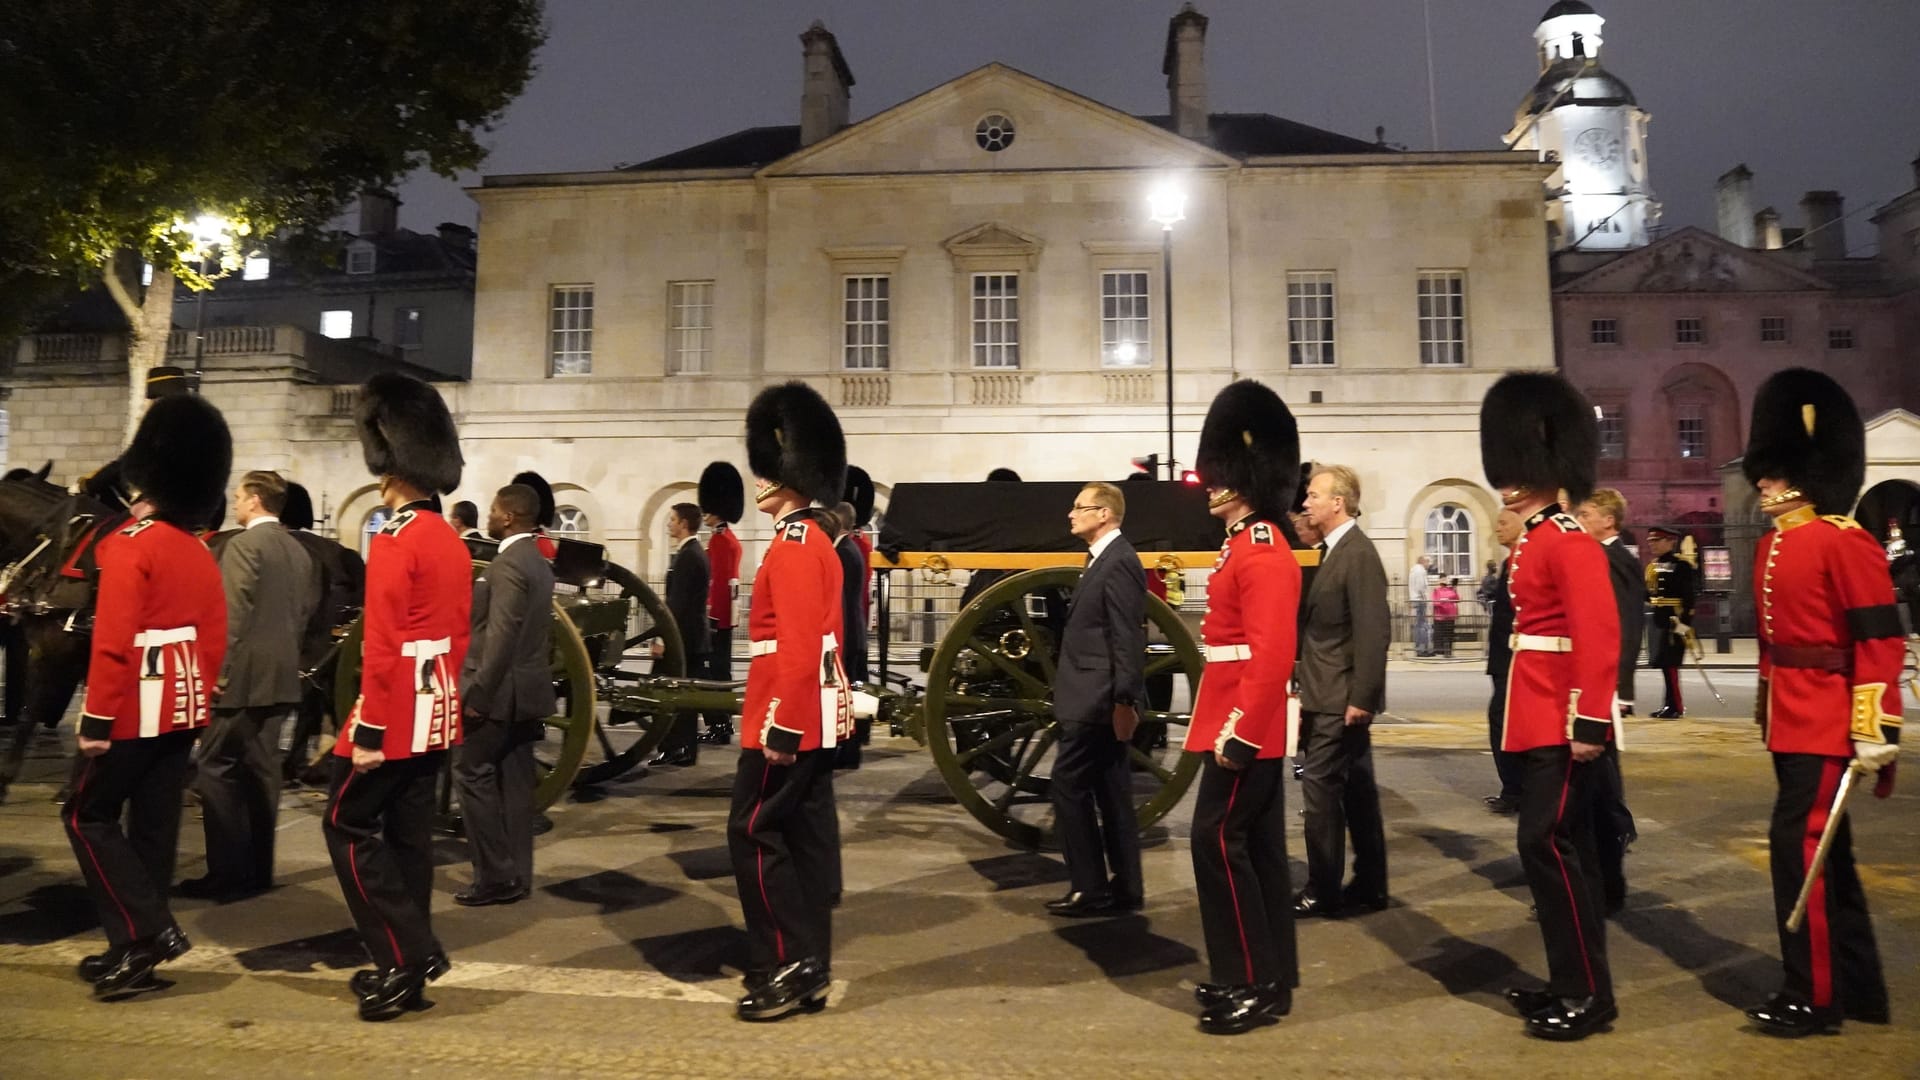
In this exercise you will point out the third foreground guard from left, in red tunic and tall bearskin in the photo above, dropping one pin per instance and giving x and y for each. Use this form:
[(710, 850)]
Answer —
[(784, 831)]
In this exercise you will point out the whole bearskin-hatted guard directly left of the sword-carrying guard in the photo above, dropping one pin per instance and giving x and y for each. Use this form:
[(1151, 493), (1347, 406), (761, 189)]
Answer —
[(1537, 439)]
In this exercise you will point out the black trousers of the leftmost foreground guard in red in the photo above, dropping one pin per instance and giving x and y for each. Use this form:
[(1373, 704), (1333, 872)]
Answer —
[(130, 871)]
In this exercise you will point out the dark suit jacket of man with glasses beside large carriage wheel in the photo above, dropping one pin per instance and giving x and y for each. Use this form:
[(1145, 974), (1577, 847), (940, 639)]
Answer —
[(1105, 641)]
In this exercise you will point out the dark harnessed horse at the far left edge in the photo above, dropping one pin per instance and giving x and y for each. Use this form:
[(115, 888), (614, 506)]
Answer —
[(47, 589)]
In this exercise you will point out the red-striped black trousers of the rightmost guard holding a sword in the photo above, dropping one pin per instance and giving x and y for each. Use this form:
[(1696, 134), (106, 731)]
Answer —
[(1833, 960)]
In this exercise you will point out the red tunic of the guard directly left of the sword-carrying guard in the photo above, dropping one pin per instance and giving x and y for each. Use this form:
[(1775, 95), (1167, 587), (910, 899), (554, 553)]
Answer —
[(1568, 637)]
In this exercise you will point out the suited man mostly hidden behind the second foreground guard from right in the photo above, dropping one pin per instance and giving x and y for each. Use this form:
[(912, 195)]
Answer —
[(1614, 825)]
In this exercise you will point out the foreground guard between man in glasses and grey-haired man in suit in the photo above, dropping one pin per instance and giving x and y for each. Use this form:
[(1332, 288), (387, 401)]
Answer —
[(1249, 462)]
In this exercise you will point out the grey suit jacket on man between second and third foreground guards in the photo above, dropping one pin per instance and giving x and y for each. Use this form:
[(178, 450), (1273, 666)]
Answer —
[(508, 674)]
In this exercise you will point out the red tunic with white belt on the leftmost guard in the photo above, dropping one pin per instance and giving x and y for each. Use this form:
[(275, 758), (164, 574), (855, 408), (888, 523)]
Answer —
[(160, 633)]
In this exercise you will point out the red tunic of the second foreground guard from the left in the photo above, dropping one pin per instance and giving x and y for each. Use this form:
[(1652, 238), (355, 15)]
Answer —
[(416, 627)]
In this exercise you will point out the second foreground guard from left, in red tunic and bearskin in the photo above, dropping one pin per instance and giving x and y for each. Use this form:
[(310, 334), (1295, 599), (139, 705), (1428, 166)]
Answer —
[(408, 716)]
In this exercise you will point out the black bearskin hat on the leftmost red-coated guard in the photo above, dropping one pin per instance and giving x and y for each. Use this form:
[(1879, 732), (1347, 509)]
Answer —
[(180, 458)]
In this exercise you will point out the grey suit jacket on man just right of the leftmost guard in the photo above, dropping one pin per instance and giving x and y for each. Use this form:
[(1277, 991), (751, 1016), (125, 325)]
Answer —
[(272, 591)]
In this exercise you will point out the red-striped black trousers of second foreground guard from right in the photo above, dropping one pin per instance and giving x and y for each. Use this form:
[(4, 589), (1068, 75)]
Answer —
[(1556, 841)]
